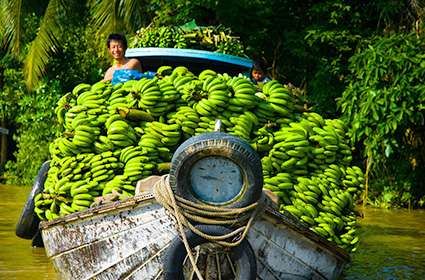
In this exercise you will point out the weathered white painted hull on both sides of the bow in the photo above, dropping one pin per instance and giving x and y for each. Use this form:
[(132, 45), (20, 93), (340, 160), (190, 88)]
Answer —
[(126, 240)]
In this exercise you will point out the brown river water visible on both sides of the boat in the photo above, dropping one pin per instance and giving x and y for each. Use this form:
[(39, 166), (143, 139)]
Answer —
[(392, 244)]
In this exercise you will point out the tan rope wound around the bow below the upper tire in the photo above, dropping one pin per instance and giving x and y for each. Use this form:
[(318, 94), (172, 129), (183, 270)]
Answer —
[(185, 212)]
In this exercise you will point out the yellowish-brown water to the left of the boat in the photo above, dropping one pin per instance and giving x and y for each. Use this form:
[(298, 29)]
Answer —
[(18, 260)]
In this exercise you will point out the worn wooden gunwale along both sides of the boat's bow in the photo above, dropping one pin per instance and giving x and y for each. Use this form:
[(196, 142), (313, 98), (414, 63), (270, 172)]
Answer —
[(285, 218)]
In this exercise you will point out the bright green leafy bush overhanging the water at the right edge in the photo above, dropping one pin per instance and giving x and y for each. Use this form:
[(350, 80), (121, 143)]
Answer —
[(384, 104)]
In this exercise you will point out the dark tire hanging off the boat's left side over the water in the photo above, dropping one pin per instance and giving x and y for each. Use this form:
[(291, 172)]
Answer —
[(28, 222)]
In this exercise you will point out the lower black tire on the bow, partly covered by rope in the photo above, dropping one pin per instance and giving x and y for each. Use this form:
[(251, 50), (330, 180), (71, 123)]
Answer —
[(243, 255)]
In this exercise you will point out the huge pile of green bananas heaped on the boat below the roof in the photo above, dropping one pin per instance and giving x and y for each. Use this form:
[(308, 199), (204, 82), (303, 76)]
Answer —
[(114, 136)]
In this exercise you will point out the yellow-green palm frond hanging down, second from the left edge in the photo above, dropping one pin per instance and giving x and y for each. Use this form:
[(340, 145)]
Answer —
[(45, 44)]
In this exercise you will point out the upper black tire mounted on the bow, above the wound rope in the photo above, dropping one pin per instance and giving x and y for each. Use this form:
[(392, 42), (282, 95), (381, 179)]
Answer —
[(217, 144)]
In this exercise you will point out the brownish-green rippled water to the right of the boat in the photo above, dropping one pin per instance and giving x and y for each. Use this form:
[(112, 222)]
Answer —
[(392, 246)]
